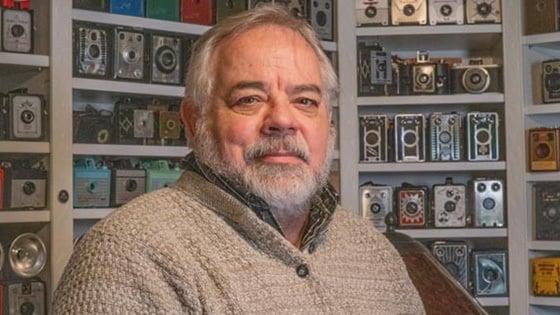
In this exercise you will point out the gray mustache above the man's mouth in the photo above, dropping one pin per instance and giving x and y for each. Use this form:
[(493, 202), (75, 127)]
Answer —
[(287, 144)]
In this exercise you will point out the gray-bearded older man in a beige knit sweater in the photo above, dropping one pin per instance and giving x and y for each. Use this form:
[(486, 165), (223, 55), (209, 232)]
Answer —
[(252, 226)]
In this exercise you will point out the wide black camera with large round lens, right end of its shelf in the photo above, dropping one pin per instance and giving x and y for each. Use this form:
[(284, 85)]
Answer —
[(475, 77)]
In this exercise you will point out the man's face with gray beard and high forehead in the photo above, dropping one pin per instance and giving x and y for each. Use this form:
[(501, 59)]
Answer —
[(268, 117)]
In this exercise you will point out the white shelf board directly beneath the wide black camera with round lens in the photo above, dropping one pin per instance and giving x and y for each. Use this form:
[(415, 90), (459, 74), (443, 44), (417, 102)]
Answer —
[(431, 99)]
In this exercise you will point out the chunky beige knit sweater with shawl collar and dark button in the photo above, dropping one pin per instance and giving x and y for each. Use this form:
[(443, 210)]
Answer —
[(194, 249)]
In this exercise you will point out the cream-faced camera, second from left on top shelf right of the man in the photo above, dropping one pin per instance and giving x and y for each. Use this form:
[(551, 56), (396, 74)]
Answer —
[(409, 12)]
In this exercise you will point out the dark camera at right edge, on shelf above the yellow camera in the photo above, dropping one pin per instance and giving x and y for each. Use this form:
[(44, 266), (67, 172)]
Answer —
[(546, 202)]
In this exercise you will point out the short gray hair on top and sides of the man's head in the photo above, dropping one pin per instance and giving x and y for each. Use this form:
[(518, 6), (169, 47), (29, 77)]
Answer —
[(200, 76)]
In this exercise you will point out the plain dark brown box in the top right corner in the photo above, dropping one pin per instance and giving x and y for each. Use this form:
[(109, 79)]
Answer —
[(541, 16)]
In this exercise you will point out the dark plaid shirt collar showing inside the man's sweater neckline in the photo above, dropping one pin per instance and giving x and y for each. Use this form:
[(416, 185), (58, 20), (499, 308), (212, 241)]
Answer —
[(321, 212)]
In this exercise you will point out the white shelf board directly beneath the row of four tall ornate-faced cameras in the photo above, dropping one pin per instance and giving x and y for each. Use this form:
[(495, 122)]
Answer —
[(431, 167)]
